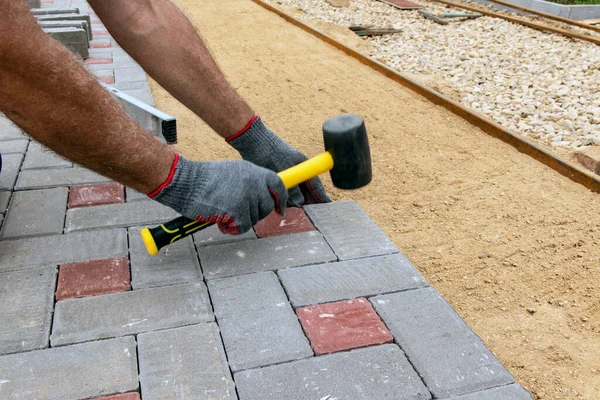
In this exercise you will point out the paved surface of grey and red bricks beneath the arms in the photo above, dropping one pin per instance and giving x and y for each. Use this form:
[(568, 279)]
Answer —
[(319, 305)]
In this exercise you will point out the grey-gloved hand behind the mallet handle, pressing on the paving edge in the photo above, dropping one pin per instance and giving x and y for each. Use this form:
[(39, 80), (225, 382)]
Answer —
[(259, 145)]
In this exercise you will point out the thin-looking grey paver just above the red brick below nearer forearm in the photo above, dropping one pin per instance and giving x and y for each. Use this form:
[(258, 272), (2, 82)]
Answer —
[(44, 178)]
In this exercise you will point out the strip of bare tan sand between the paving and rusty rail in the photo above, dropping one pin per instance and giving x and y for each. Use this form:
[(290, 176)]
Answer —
[(511, 244)]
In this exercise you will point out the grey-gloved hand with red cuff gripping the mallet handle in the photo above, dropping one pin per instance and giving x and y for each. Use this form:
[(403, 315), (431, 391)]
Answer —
[(235, 195)]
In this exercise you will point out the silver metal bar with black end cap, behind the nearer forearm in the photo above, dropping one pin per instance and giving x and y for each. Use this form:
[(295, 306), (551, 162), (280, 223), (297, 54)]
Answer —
[(160, 124)]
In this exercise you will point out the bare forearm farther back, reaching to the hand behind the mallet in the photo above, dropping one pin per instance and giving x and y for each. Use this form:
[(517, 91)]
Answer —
[(162, 40)]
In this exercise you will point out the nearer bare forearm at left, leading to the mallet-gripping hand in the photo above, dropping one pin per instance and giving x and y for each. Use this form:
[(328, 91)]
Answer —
[(46, 91)]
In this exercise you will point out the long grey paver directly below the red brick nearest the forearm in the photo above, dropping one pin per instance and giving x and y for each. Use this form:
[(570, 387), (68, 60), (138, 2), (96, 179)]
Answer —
[(118, 215)]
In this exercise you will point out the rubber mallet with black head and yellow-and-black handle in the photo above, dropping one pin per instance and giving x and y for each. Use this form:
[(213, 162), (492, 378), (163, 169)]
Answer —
[(347, 157)]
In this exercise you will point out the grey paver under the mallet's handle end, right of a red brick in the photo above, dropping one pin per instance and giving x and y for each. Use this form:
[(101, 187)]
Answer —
[(177, 263)]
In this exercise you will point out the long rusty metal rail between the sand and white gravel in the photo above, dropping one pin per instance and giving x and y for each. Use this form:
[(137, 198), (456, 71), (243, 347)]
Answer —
[(560, 165)]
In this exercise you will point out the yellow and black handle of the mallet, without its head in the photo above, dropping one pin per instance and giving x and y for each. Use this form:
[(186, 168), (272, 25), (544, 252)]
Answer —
[(170, 232)]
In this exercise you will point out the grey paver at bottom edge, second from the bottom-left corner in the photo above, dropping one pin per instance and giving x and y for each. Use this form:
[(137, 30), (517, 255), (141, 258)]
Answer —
[(184, 363)]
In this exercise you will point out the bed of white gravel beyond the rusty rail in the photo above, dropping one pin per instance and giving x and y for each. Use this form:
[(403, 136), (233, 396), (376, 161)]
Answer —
[(544, 86)]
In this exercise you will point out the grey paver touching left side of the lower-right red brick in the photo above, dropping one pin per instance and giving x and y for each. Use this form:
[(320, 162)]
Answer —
[(258, 324)]
